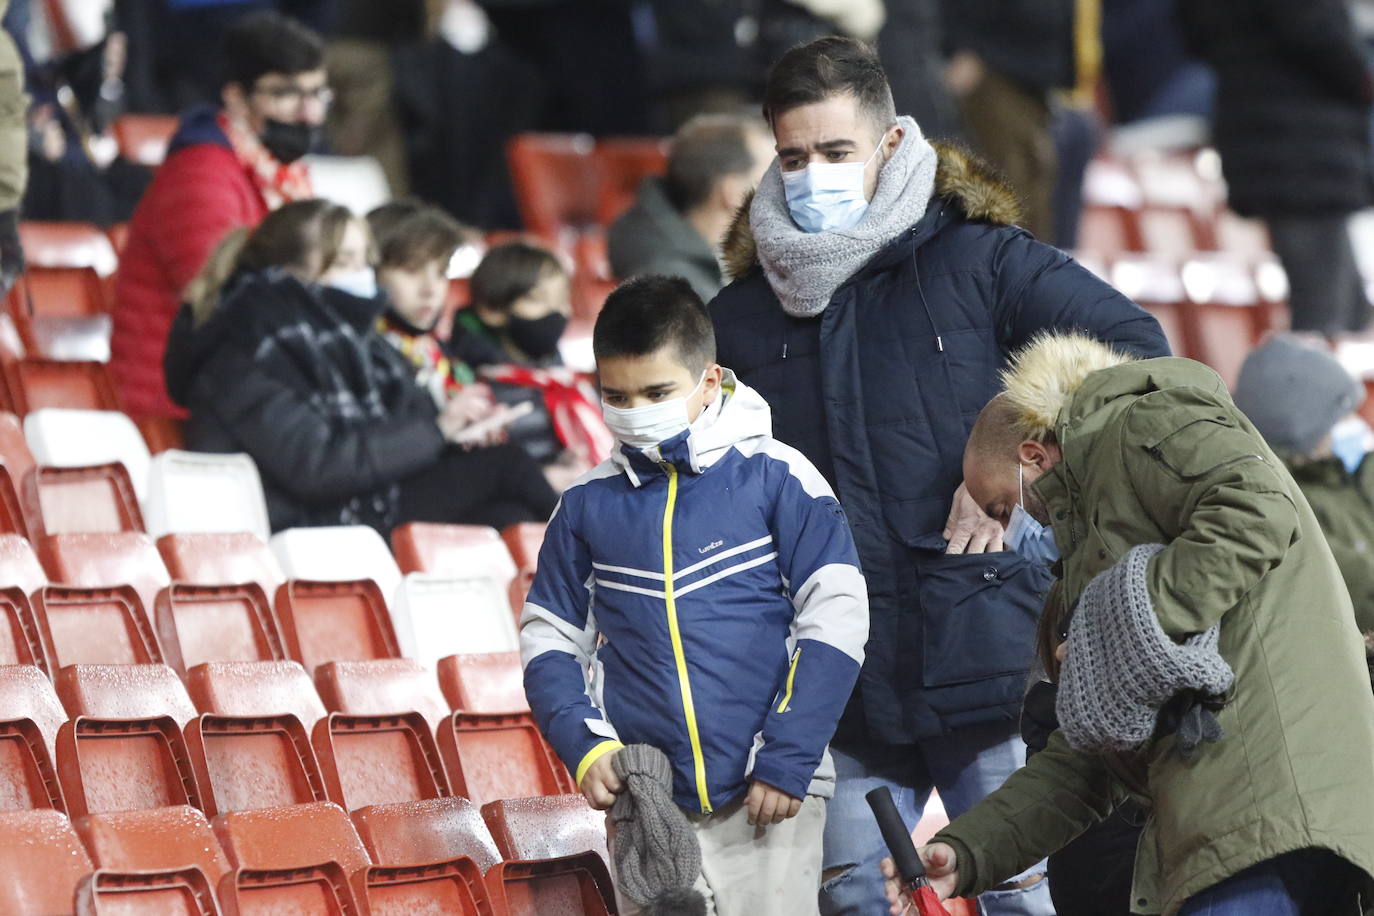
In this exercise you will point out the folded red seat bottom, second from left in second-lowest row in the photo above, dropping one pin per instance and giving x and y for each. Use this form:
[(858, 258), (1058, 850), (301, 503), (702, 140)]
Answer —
[(120, 766)]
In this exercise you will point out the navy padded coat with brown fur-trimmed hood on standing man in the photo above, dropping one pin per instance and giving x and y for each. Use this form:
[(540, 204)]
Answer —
[(881, 392)]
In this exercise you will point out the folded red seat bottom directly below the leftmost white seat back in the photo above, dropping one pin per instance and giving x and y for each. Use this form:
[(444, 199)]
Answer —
[(89, 501)]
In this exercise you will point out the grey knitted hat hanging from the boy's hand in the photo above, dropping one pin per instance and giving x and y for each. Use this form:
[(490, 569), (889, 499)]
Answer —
[(657, 855)]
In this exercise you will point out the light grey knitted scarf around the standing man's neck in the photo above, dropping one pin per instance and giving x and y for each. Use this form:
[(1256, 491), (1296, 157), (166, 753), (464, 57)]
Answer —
[(806, 268)]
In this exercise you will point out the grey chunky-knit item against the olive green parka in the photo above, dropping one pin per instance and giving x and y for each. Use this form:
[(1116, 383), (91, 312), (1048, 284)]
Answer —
[(1123, 669)]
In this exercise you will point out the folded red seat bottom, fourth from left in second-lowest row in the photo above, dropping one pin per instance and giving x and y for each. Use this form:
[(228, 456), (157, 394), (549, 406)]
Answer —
[(379, 760)]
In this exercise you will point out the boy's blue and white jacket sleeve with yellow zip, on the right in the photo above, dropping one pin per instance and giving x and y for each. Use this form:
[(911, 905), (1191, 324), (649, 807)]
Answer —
[(818, 560)]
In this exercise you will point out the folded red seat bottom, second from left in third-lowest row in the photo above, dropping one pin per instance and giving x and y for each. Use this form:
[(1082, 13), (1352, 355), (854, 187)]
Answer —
[(94, 627)]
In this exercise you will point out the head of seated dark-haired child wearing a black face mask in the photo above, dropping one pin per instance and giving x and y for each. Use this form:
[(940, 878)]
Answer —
[(521, 301)]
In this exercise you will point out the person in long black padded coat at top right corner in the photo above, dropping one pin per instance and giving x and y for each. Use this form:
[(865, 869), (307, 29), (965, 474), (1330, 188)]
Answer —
[(1292, 126)]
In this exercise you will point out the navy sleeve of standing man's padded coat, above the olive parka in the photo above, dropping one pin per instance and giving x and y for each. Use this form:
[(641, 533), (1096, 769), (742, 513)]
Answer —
[(1039, 288)]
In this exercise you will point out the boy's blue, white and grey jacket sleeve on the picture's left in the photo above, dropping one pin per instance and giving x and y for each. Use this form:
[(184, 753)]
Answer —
[(559, 638)]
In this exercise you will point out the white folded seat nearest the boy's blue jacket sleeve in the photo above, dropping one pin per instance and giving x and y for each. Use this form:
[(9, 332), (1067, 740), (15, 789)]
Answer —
[(453, 616)]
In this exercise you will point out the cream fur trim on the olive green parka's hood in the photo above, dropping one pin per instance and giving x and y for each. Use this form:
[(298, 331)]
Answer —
[(1048, 373)]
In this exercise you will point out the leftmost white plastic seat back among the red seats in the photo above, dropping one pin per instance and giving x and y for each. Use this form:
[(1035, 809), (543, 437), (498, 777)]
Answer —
[(76, 439)]
